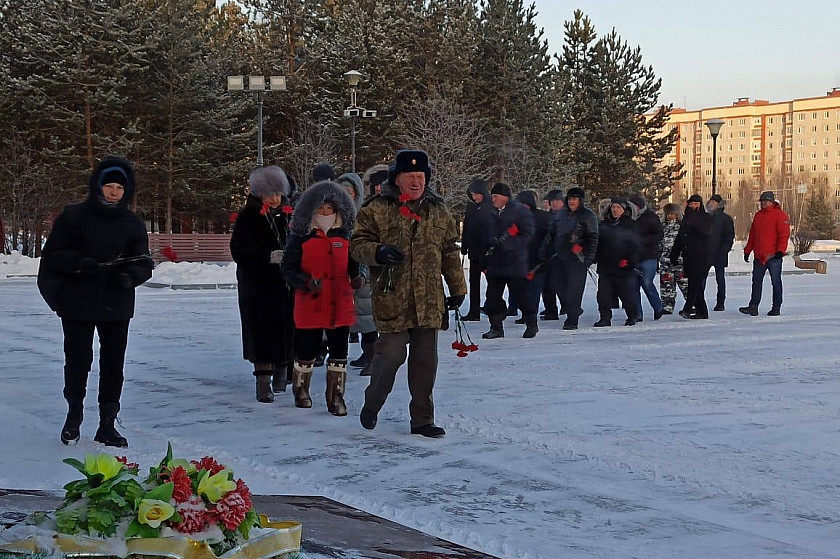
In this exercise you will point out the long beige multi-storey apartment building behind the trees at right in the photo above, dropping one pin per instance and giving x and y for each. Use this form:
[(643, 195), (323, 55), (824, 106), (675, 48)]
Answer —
[(787, 146)]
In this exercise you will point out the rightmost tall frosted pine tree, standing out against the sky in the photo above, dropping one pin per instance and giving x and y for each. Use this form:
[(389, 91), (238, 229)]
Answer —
[(616, 140)]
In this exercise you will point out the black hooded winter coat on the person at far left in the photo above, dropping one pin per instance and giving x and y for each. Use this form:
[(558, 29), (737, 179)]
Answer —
[(108, 234)]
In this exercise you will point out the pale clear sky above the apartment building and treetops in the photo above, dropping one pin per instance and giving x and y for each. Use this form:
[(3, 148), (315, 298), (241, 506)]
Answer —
[(710, 52)]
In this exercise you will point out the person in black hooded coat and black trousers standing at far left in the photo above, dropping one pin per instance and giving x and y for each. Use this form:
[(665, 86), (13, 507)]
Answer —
[(95, 256)]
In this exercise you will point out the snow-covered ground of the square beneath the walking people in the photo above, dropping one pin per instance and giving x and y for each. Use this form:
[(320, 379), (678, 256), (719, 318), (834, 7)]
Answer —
[(717, 438)]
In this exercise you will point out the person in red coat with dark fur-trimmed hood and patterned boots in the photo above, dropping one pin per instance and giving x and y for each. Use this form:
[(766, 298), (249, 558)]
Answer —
[(318, 266)]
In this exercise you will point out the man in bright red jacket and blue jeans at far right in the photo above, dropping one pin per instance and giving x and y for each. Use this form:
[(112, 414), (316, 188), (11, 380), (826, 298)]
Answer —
[(768, 242)]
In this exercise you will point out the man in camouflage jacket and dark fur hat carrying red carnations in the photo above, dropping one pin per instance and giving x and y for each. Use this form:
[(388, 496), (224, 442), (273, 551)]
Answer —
[(408, 238)]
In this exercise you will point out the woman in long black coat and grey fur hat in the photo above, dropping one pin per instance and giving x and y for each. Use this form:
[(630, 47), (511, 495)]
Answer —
[(265, 301)]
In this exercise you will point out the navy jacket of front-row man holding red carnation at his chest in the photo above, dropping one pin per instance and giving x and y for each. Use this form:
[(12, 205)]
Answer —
[(509, 257)]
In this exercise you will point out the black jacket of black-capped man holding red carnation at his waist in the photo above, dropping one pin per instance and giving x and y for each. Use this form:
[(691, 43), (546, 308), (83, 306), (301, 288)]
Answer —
[(568, 229)]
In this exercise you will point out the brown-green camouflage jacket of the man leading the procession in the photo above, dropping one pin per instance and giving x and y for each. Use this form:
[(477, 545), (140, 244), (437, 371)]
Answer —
[(410, 294)]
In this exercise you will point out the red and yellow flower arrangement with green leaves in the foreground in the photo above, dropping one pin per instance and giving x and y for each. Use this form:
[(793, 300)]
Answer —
[(199, 499)]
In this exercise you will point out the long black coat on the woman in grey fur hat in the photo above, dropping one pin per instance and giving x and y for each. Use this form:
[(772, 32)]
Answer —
[(265, 300)]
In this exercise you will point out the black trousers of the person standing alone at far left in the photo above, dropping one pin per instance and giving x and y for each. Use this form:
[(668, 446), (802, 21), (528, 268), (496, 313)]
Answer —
[(78, 358)]
